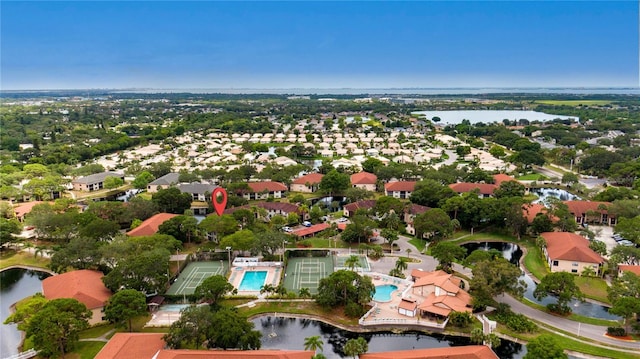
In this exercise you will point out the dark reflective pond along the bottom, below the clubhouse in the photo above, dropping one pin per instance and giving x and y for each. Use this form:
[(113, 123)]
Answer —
[(289, 333)]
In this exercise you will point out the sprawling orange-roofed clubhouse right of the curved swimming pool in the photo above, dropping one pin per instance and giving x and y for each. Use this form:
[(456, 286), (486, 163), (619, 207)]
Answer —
[(441, 292)]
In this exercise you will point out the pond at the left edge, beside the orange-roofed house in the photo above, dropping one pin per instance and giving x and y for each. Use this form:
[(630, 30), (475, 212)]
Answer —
[(15, 284)]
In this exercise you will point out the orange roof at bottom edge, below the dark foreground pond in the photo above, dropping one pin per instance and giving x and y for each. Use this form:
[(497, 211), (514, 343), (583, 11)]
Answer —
[(463, 352)]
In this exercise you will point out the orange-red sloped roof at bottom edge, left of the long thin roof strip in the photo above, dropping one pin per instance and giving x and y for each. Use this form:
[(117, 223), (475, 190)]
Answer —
[(132, 346)]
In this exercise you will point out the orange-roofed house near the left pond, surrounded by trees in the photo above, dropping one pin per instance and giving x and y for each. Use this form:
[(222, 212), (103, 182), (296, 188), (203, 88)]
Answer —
[(83, 285)]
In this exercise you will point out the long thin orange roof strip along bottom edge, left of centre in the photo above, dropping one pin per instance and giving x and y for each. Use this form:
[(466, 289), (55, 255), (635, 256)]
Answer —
[(234, 354)]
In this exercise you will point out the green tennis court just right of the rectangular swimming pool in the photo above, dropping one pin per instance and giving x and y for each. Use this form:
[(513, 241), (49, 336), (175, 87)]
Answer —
[(307, 272)]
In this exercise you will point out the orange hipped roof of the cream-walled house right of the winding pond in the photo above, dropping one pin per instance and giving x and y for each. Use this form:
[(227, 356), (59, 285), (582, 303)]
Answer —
[(570, 247)]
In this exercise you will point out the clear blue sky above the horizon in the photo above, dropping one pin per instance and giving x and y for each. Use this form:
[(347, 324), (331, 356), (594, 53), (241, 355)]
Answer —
[(304, 44)]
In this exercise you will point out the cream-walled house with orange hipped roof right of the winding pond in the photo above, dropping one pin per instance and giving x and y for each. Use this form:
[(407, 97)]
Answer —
[(569, 252)]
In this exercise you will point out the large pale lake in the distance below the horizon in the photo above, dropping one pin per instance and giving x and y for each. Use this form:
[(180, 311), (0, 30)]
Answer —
[(489, 116)]
